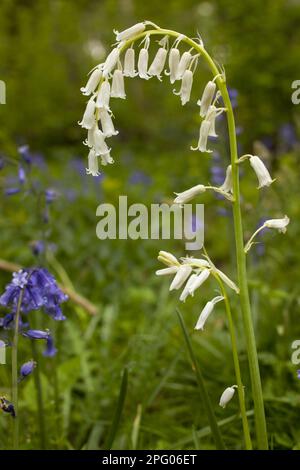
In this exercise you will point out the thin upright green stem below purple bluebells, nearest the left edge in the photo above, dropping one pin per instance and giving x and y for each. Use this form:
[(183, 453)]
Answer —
[(14, 373)]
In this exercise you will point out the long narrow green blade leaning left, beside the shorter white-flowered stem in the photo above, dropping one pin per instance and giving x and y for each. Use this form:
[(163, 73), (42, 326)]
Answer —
[(203, 392)]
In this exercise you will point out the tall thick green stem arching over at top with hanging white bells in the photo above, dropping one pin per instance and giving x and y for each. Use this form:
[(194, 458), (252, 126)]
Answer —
[(260, 421)]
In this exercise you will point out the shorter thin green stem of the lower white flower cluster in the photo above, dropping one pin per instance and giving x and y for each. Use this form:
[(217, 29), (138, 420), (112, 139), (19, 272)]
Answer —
[(237, 368)]
